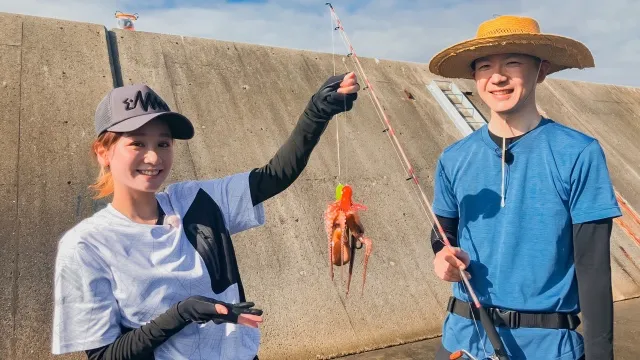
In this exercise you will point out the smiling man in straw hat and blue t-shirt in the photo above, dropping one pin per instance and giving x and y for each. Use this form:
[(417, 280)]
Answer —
[(527, 204)]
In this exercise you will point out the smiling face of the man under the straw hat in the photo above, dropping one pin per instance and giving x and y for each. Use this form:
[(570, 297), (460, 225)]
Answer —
[(504, 81)]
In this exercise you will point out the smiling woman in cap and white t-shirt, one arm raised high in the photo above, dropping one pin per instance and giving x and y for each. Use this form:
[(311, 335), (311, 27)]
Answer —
[(154, 275)]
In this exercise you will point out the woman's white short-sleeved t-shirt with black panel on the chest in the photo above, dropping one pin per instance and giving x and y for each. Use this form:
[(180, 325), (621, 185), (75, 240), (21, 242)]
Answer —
[(112, 272)]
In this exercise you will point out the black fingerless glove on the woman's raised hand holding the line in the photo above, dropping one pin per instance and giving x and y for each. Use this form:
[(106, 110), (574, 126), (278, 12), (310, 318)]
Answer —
[(328, 101)]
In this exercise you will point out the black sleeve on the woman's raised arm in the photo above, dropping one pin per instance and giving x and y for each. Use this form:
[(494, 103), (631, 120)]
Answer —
[(292, 157)]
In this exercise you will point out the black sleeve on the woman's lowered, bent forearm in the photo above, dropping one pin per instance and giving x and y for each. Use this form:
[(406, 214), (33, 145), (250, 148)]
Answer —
[(138, 344)]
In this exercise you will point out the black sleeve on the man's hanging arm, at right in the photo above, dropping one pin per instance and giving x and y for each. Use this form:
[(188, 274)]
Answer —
[(591, 242)]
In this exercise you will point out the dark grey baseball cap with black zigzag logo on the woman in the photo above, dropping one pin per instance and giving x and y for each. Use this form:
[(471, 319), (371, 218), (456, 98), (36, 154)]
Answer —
[(129, 107)]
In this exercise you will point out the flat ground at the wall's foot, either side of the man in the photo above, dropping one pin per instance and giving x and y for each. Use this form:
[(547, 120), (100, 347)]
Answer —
[(626, 331)]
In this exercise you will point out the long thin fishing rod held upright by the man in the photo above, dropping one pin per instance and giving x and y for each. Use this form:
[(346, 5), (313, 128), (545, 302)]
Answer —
[(500, 352)]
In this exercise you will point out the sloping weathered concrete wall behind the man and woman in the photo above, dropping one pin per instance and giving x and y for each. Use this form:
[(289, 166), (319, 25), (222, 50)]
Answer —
[(244, 100)]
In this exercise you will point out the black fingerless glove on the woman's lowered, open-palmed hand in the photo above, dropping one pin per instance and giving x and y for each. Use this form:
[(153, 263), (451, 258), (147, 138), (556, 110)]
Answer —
[(201, 309)]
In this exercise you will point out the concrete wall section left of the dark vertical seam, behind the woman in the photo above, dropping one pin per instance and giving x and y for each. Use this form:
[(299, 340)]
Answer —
[(55, 73)]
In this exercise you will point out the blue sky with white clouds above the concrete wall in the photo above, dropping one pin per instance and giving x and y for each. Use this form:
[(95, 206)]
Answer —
[(405, 30)]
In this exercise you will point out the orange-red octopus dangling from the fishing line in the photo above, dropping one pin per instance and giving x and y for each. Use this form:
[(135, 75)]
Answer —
[(345, 231)]
